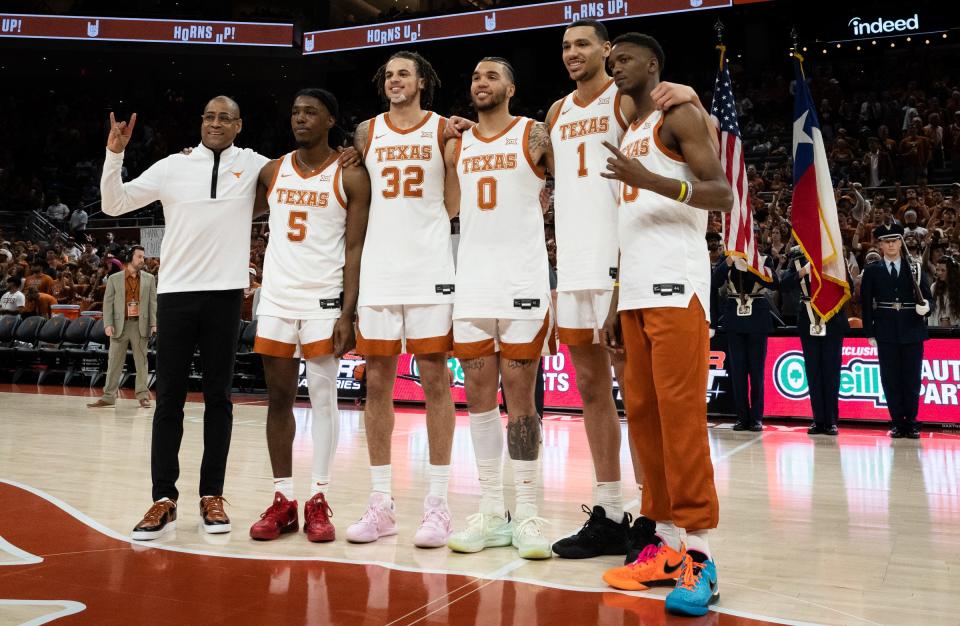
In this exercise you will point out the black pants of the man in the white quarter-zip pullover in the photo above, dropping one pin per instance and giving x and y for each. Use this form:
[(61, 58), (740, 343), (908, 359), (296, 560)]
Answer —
[(209, 320)]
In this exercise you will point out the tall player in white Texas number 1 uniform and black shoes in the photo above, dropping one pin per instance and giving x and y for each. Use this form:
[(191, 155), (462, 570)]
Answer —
[(586, 225)]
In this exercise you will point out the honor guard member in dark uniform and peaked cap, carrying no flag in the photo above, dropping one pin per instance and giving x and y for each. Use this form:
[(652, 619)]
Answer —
[(895, 300)]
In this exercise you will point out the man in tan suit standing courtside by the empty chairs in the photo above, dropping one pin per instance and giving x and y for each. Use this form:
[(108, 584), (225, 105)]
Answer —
[(129, 317)]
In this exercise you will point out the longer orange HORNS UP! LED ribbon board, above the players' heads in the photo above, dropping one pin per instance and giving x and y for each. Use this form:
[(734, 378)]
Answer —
[(493, 21)]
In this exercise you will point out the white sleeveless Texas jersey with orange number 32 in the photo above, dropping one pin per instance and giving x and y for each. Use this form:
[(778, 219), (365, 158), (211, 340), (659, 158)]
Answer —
[(408, 254)]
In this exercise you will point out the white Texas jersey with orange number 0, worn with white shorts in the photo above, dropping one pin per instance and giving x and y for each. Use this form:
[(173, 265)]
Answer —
[(502, 267)]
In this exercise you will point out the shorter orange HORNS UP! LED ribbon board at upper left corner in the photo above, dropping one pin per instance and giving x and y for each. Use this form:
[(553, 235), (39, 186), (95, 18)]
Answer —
[(145, 30)]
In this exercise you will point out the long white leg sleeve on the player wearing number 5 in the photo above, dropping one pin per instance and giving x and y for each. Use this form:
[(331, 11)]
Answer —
[(322, 385)]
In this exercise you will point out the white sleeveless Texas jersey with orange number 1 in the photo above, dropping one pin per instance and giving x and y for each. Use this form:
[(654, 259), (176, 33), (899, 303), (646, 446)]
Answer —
[(585, 203)]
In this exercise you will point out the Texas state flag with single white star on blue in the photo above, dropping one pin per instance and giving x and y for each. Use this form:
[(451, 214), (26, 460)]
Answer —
[(814, 213)]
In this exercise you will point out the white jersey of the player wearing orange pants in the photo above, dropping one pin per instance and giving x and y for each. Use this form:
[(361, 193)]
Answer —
[(663, 254)]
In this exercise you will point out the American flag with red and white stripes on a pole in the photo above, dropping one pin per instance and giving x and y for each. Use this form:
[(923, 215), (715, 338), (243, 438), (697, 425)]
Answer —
[(738, 237)]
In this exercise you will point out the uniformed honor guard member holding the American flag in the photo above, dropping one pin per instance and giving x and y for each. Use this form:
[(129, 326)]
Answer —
[(746, 319)]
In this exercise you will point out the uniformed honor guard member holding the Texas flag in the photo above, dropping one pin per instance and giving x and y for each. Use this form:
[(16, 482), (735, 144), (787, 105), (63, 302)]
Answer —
[(822, 344)]
